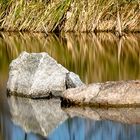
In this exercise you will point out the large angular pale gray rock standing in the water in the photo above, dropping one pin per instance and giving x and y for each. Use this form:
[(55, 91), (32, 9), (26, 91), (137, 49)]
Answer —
[(37, 75)]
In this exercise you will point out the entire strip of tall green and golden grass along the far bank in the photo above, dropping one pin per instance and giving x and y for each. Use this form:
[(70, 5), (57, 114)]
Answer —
[(70, 15)]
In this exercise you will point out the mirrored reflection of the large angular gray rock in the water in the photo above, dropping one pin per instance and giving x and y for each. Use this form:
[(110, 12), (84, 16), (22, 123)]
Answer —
[(37, 116)]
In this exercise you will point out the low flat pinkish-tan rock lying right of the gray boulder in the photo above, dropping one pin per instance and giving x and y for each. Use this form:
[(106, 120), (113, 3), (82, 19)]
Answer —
[(120, 93)]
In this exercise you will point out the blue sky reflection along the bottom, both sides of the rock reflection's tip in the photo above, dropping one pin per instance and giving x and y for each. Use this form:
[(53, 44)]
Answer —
[(78, 129)]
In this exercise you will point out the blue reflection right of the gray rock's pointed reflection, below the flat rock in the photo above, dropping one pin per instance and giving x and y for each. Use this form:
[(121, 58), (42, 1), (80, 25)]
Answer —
[(85, 129)]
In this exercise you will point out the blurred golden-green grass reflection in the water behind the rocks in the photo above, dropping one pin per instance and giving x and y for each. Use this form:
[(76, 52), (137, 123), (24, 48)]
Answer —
[(98, 57)]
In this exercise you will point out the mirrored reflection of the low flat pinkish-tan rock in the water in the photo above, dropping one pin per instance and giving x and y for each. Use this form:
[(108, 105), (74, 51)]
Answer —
[(123, 115)]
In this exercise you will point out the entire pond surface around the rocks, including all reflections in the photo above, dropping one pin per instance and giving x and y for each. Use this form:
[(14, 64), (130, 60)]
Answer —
[(95, 58)]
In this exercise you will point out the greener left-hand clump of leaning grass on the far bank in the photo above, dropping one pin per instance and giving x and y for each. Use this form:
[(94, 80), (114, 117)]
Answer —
[(37, 16)]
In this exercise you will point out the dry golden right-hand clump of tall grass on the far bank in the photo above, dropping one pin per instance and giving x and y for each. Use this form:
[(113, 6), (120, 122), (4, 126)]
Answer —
[(104, 15)]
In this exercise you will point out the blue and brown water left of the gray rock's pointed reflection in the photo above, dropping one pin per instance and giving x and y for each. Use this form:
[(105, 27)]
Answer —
[(8, 129)]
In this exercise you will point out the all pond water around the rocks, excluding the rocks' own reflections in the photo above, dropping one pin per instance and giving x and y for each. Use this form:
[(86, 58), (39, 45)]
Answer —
[(95, 58)]
